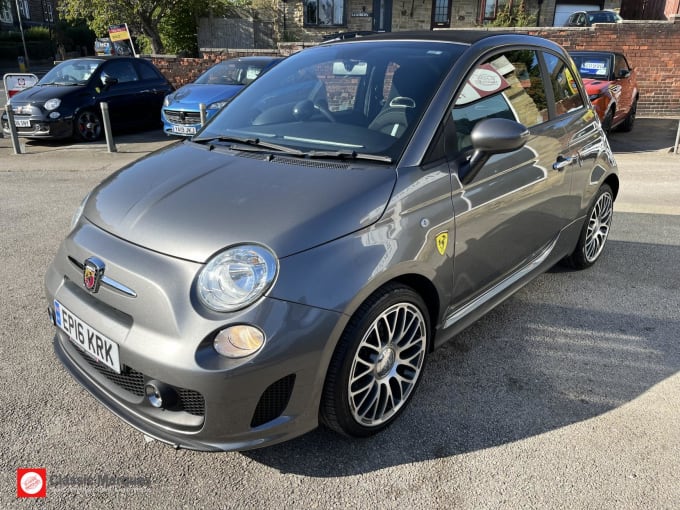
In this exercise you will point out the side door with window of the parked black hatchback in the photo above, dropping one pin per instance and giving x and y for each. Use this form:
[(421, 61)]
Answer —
[(123, 93)]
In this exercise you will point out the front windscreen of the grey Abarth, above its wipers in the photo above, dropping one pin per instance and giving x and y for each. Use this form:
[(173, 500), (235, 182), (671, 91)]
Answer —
[(361, 97)]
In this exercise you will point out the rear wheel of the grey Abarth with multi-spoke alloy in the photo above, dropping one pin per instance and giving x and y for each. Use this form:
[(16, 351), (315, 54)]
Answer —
[(595, 230)]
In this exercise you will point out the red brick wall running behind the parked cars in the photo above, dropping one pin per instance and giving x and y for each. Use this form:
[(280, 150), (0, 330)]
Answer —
[(652, 47)]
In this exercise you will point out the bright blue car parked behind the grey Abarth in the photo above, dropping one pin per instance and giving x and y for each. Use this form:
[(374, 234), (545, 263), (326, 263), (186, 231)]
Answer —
[(181, 110)]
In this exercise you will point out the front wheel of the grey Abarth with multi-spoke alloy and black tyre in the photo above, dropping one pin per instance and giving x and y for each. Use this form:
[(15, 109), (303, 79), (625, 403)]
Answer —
[(377, 364)]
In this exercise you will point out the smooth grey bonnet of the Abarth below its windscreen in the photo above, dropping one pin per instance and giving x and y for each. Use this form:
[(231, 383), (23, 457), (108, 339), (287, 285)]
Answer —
[(190, 202)]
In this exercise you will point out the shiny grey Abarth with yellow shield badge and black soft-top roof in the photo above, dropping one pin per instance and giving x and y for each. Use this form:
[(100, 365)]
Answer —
[(295, 262)]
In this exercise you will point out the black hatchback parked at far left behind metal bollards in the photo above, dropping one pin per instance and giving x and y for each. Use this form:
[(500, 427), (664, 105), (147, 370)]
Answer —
[(66, 101)]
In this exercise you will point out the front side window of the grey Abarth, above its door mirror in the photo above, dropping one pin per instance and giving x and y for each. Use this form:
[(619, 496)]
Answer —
[(506, 86)]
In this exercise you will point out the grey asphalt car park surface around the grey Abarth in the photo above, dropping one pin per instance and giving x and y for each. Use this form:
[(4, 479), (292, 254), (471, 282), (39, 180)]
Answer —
[(565, 396)]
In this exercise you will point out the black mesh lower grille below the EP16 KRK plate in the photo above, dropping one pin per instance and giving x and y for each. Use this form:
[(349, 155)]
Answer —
[(133, 382)]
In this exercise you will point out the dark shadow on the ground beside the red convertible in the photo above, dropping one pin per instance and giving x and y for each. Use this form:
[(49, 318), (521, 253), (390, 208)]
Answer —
[(647, 135)]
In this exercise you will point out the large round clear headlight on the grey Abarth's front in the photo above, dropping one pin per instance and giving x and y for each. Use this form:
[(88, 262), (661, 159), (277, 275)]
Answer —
[(236, 277)]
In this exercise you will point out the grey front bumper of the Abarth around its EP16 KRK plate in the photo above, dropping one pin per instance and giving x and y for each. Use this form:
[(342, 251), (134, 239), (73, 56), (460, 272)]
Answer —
[(164, 335)]
